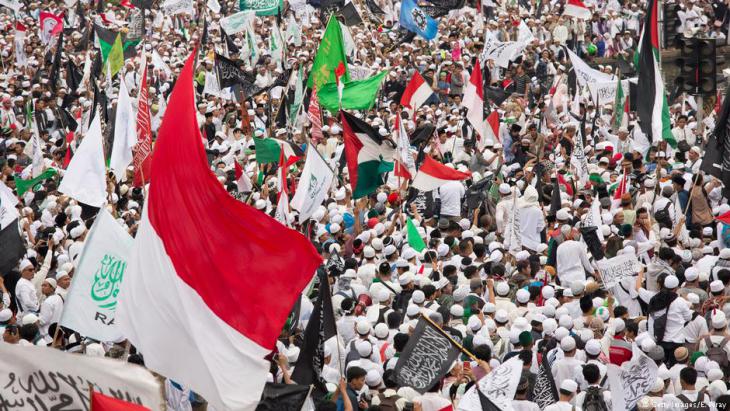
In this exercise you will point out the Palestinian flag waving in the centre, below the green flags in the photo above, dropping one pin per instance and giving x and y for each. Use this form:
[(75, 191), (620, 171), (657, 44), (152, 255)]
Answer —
[(367, 154)]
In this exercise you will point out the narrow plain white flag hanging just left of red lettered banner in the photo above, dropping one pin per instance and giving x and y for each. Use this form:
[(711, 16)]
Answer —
[(125, 134)]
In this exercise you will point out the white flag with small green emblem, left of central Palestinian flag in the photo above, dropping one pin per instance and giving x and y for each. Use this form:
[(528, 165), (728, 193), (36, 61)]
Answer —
[(314, 184)]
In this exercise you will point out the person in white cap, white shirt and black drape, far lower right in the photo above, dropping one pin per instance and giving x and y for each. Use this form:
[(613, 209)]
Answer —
[(674, 312)]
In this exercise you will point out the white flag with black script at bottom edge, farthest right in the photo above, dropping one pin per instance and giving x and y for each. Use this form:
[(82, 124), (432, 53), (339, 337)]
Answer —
[(631, 381)]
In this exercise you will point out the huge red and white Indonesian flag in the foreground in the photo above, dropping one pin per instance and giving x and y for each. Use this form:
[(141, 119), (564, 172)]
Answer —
[(211, 280)]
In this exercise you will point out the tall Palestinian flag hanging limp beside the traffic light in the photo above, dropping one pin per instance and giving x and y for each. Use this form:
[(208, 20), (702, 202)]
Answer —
[(651, 100)]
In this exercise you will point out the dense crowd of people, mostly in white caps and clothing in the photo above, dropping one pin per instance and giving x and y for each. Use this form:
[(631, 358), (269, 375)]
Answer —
[(543, 299)]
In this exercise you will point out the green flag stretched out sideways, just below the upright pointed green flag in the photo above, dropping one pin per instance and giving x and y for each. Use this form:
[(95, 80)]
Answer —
[(357, 95)]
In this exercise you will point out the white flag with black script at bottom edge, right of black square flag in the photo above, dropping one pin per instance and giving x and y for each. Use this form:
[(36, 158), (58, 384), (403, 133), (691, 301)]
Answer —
[(499, 387)]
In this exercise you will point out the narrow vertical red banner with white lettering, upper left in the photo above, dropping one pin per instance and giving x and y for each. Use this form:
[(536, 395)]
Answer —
[(143, 149)]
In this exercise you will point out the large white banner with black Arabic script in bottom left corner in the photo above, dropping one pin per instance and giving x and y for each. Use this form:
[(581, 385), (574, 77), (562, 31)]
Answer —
[(40, 378)]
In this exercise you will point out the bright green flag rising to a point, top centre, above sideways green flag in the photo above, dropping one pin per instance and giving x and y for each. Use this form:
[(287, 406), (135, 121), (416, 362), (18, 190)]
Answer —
[(330, 55)]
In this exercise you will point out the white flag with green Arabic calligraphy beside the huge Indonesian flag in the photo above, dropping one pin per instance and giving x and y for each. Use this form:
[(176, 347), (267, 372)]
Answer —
[(91, 302)]
